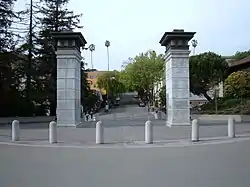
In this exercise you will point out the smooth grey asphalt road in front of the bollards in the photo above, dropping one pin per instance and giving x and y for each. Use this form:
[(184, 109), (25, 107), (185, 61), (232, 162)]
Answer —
[(222, 165)]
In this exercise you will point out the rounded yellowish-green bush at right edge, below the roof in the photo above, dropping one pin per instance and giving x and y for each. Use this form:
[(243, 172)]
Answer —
[(237, 85)]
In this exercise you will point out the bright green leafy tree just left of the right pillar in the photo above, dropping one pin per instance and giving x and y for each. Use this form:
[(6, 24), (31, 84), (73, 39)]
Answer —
[(143, 72)]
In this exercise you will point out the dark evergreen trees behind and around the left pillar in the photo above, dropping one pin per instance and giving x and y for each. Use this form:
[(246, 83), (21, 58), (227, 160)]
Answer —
[(14, 65)]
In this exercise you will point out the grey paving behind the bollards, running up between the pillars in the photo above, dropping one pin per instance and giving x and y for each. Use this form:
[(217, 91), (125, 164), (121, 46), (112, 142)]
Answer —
[(128, 127)]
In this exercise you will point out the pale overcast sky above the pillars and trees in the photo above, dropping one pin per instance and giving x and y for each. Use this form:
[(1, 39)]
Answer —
[(135, 26)]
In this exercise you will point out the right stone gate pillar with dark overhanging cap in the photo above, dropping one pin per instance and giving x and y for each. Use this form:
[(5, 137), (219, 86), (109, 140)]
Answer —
[(177, 76)]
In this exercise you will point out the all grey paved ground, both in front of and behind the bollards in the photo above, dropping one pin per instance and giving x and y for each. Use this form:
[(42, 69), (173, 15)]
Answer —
[(205, 165)]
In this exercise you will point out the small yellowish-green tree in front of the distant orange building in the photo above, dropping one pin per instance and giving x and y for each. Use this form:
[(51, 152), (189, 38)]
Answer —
[(111, 82)]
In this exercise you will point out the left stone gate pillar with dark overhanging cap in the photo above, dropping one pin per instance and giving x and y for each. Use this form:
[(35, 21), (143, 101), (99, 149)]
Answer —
[(68, 77)]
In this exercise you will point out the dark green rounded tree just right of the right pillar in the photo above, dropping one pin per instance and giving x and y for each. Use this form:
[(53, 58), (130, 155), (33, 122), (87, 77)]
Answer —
[(206, 71)]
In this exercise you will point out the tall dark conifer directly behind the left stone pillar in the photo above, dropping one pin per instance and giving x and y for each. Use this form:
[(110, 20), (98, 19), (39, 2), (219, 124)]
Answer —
[(54, 17)]
